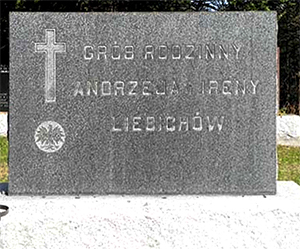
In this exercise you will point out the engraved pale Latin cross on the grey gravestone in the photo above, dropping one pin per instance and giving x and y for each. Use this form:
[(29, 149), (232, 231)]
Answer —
[(50, 47)]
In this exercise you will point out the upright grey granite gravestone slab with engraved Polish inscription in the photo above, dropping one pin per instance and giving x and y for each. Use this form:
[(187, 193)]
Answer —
[(142, 103)]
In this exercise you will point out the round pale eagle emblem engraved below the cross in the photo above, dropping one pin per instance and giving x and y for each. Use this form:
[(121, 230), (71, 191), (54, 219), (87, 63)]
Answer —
[(49, 136)]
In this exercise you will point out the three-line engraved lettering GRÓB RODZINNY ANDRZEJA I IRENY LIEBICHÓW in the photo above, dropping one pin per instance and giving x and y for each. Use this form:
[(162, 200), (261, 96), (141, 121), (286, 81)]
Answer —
[(208, 52)]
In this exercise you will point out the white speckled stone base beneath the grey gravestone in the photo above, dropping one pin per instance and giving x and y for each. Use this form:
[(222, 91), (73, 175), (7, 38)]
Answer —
[(153, 221)]
